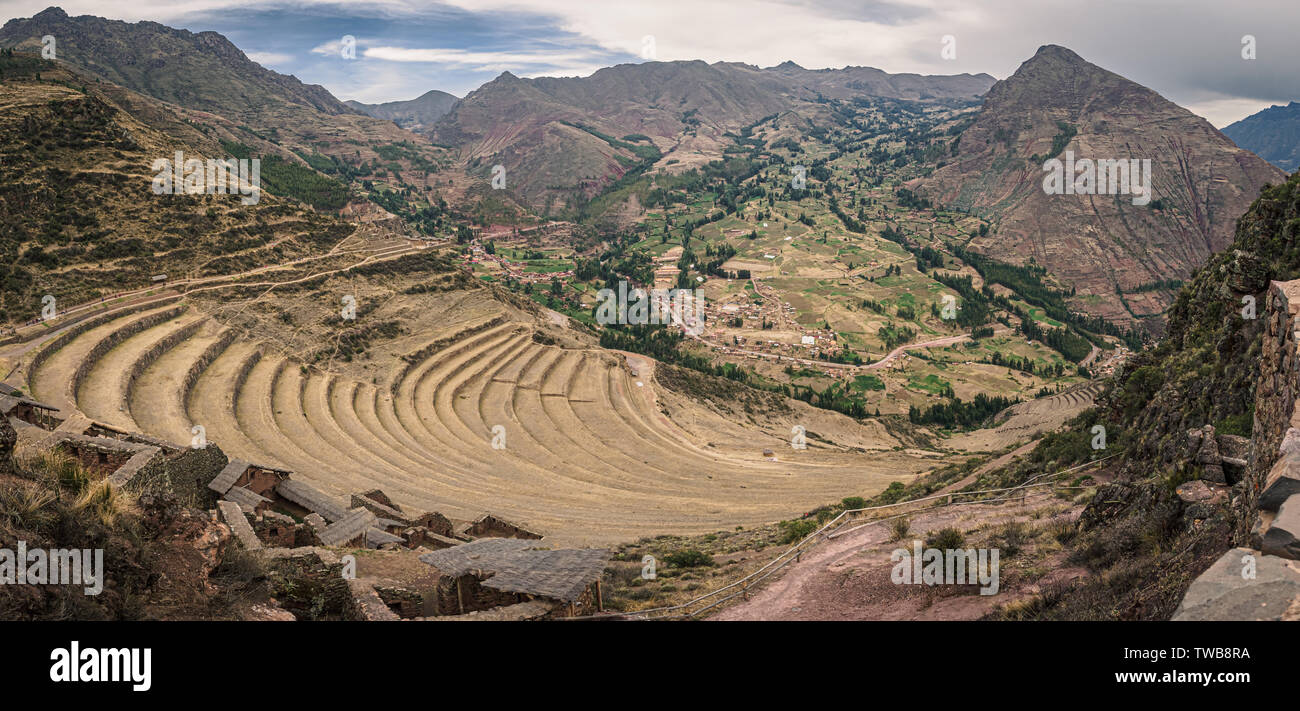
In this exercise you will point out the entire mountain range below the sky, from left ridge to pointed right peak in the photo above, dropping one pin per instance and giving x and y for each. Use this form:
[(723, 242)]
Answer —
[(562, 142)]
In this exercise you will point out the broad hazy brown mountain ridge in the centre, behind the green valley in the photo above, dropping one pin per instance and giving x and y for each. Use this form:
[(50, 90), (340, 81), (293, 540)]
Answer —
[(554, 135)]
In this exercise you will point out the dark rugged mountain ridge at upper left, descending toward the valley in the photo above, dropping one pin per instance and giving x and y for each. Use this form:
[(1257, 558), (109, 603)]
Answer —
[(205, 81)]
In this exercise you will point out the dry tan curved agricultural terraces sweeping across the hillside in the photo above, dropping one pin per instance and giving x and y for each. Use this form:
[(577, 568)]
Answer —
[(595, 449)]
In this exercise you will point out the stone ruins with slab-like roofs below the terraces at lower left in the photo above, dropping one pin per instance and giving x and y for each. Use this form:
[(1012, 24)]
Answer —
[(487, 570)]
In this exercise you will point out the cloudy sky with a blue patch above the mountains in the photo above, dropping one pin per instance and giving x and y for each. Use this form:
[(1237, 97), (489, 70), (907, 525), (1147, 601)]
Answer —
[(1188, 50)]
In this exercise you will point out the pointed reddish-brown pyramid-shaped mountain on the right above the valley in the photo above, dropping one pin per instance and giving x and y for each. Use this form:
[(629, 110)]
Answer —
[(1110, 249)]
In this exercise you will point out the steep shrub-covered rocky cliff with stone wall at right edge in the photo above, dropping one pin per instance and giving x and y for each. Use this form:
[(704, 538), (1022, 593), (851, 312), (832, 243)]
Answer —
[(1210, 456)]
